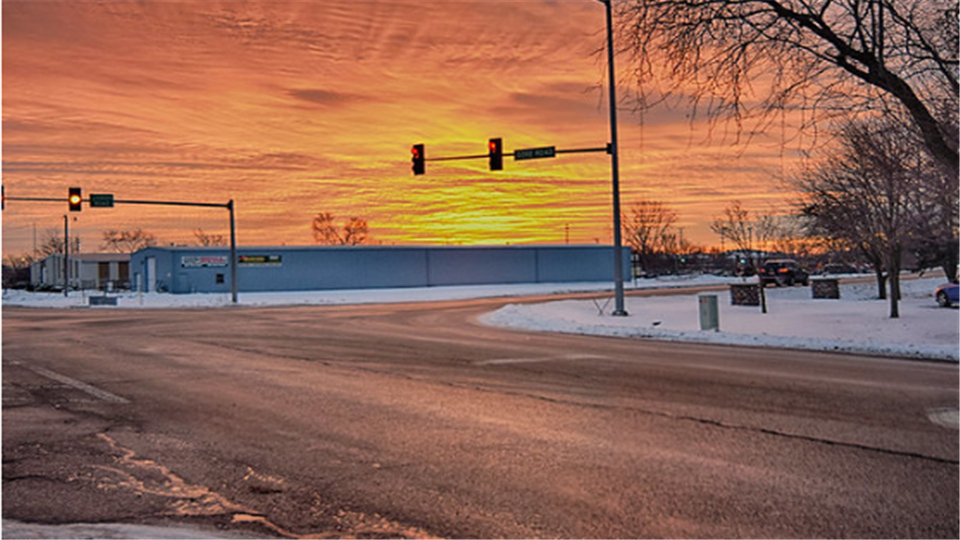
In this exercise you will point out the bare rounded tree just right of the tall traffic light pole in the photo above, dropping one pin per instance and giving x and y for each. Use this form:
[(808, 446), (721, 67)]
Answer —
[(648, 230)]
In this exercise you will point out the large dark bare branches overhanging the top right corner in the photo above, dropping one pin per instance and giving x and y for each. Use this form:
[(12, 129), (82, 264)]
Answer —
[(735, 58)]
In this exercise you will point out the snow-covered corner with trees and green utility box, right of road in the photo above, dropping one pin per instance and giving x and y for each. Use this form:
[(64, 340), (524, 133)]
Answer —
[(858, 322)]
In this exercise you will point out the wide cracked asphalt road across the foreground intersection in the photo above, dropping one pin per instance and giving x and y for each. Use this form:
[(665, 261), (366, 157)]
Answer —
[(414, 420)]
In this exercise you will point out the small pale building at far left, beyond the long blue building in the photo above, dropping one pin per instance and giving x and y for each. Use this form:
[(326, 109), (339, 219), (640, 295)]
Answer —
[(99, 271)]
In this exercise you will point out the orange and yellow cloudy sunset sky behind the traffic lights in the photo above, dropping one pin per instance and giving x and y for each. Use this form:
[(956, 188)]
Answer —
[(295, 108)]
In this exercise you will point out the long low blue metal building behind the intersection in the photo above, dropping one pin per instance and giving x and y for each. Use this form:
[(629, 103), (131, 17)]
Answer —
[(181, 269)]
